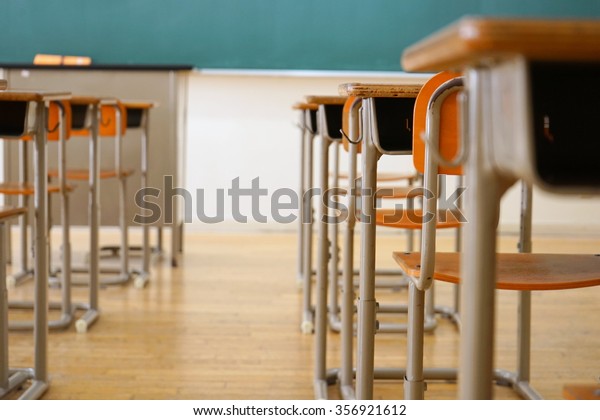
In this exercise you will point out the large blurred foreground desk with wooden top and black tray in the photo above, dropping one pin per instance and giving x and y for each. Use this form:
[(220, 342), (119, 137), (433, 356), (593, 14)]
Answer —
[(519, 126)]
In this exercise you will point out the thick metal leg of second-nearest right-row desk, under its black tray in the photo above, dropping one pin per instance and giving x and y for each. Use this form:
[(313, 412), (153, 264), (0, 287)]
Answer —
[(367, 305)]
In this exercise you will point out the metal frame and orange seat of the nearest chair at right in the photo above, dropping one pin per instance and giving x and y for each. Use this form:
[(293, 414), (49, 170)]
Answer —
[(523, 272)]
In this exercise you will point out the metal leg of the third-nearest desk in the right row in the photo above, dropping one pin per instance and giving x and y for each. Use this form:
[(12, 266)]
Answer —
[(320, 381)]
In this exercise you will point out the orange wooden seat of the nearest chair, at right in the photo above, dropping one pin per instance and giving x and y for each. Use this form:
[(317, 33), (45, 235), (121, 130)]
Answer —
[(517, 271)]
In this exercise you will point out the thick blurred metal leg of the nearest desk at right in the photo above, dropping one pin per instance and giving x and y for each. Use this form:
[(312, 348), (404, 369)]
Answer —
[(478, 259)]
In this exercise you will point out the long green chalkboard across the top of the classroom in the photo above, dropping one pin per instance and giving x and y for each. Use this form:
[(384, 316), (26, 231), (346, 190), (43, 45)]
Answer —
[(246, 34)]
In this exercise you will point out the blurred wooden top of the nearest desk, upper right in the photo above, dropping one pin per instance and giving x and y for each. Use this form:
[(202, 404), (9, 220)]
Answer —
[(473, 40)]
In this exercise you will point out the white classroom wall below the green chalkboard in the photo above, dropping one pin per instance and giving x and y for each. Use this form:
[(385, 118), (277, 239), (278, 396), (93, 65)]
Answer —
[(241, 125)]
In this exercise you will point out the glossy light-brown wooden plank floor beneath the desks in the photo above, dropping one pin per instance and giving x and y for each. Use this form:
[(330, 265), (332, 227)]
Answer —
[(225, 325)]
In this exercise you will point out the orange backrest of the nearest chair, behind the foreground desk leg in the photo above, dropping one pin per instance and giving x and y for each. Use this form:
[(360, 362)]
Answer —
[(449, 135)]
